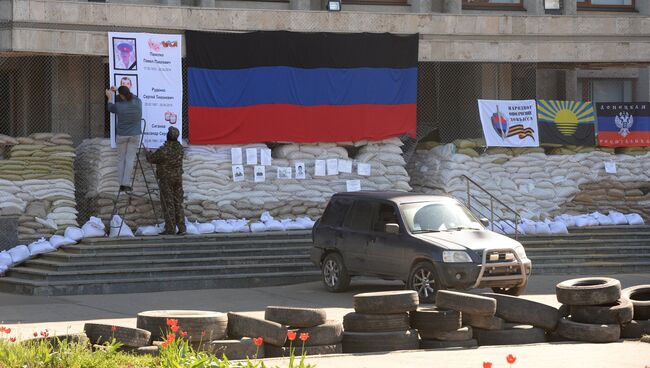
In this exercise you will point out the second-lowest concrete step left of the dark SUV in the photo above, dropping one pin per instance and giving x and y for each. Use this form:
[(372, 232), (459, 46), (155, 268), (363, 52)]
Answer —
[(147, 262)]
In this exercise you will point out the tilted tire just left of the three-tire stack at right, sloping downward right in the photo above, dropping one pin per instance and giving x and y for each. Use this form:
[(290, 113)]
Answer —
[(524, 311)]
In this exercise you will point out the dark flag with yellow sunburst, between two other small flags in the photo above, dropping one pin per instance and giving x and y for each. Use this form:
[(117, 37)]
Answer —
[(566, 122)]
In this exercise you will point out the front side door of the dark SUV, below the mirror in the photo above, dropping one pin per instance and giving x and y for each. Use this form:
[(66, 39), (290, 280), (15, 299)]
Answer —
[(386, 251)]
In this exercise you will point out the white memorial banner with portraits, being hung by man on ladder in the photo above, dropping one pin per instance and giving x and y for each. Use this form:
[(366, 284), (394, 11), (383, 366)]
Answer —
[(150, 65)]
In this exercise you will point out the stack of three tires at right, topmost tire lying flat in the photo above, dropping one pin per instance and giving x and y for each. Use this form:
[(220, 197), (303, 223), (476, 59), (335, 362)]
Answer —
[(593, 309)]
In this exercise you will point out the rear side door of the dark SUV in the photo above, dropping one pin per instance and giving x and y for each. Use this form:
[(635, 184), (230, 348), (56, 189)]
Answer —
[(354, 241)]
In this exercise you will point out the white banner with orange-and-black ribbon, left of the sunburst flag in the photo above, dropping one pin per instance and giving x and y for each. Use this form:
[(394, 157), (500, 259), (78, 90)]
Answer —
[(509, 123)]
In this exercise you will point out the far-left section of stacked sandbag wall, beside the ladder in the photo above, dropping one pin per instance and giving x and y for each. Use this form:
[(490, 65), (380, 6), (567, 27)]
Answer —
[(37, 184)]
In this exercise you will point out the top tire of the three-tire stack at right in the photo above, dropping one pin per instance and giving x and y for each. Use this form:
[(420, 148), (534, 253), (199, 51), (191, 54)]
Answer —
[(588, 291)]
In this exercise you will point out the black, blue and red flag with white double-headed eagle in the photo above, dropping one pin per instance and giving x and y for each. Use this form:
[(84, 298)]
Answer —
[(623, 124)]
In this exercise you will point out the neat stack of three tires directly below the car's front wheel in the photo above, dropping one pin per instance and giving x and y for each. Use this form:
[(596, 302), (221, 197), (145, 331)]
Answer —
[(380, 322)]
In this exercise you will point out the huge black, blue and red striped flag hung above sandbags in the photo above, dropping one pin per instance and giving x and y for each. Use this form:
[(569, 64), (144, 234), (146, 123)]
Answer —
[(300, 87)]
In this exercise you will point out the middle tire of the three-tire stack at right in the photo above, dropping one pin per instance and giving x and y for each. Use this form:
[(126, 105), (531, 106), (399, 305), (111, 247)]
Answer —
[(619, 312)]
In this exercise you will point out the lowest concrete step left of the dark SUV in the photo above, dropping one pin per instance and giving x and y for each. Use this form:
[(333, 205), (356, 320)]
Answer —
[(139, 285)]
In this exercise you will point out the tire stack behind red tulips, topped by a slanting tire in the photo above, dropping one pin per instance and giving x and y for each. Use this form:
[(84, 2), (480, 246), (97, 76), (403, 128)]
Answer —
[(324, 337)]
